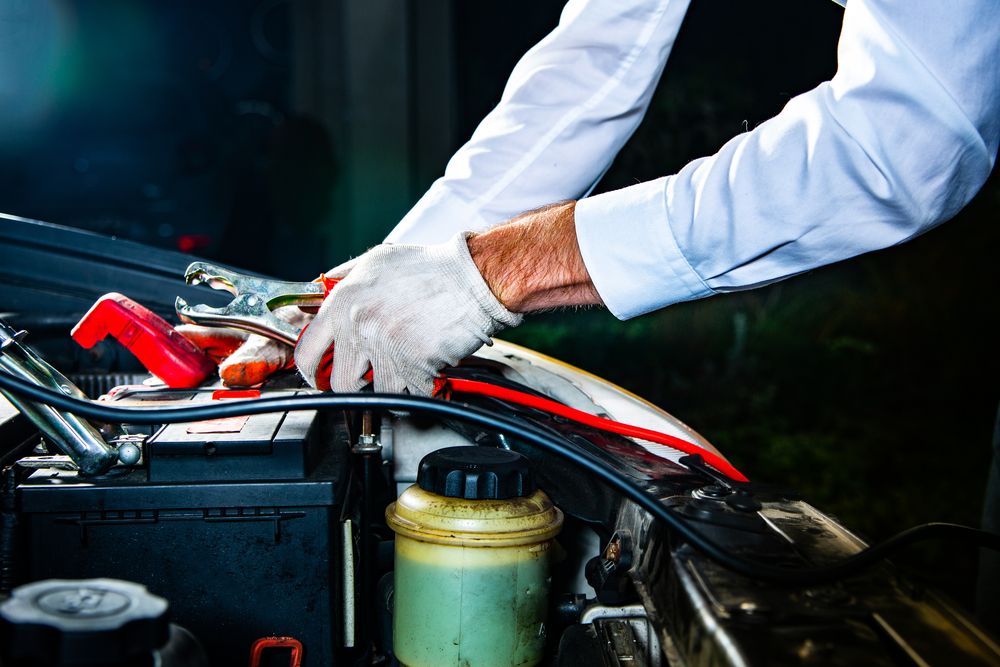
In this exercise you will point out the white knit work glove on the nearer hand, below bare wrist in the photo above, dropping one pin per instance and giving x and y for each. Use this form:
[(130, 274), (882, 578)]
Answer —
[(406, 311)]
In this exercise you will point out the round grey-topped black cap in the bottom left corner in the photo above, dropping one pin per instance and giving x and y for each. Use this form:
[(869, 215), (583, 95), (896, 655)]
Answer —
[(82, 622)]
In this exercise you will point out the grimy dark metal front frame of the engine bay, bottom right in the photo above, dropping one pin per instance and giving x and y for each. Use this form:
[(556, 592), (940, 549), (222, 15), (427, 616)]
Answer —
[(709, 615)]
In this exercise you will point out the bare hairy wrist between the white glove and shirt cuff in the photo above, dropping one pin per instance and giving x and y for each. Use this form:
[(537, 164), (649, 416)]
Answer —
[(533, 262)]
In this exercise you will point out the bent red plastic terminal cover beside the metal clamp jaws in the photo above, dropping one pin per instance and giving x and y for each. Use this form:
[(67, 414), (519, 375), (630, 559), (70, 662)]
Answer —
[(165, 353)]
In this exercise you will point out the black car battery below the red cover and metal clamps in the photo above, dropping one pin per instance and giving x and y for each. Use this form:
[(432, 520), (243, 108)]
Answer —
[(237, 522)]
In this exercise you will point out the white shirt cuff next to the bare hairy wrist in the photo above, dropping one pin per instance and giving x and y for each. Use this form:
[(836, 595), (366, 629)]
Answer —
[(630, 251)]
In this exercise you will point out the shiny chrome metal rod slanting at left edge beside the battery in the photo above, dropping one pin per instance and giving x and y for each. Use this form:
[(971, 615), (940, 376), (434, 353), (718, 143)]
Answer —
[(74, 435)]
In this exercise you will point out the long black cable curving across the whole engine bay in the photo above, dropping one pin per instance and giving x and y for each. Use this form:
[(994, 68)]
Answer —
[(765, 572)]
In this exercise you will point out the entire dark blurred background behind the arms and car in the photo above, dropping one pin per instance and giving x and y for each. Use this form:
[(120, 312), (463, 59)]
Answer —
[(870, 386)]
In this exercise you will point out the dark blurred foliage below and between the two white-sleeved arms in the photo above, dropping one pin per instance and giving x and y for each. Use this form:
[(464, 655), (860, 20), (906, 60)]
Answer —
[(869, 386)]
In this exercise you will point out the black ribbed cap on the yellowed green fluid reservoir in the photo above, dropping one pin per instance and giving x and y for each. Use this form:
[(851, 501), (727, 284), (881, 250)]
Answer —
[(476, 473)]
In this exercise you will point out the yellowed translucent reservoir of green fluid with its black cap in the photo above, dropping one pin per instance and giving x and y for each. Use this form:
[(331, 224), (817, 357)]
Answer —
[(473, 538)]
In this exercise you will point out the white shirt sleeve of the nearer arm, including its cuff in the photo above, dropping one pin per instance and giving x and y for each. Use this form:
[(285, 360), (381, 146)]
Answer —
[(900, 139)]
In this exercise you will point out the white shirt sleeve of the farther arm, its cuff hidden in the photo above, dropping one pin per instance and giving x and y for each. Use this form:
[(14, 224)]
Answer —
[(570, 105)]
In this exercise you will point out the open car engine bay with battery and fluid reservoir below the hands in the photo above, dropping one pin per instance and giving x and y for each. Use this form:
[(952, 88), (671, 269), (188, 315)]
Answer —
[(296, 527)]
